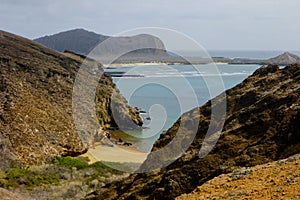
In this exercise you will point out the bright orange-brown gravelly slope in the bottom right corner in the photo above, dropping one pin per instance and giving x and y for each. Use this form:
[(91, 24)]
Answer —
[(279, 179)]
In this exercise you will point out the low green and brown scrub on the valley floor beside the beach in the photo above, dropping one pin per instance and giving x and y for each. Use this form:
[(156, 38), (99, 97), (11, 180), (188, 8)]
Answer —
[(32, 177)]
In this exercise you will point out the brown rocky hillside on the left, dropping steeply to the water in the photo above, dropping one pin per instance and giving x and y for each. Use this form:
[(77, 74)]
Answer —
[(36, 85)]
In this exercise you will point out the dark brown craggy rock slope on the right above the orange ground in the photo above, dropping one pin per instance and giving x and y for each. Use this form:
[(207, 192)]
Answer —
[(261, 125)]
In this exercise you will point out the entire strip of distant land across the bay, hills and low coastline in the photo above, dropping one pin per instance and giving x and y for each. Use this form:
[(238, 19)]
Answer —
[(81, 41)]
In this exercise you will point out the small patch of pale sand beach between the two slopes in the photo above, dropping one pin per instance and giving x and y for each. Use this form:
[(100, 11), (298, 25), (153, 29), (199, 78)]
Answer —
[(118, 153)]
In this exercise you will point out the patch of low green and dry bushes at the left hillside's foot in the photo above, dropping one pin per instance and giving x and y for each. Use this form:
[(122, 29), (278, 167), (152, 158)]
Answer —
[(61, 172)]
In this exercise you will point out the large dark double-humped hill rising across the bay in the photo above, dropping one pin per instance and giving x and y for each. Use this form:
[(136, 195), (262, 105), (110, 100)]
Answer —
[(82, 42)]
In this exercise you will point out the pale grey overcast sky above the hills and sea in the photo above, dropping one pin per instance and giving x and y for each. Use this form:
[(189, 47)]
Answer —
[(216, 24)]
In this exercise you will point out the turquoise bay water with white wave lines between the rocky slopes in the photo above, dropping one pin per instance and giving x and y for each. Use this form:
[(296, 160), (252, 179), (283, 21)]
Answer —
[(167, 91)]
